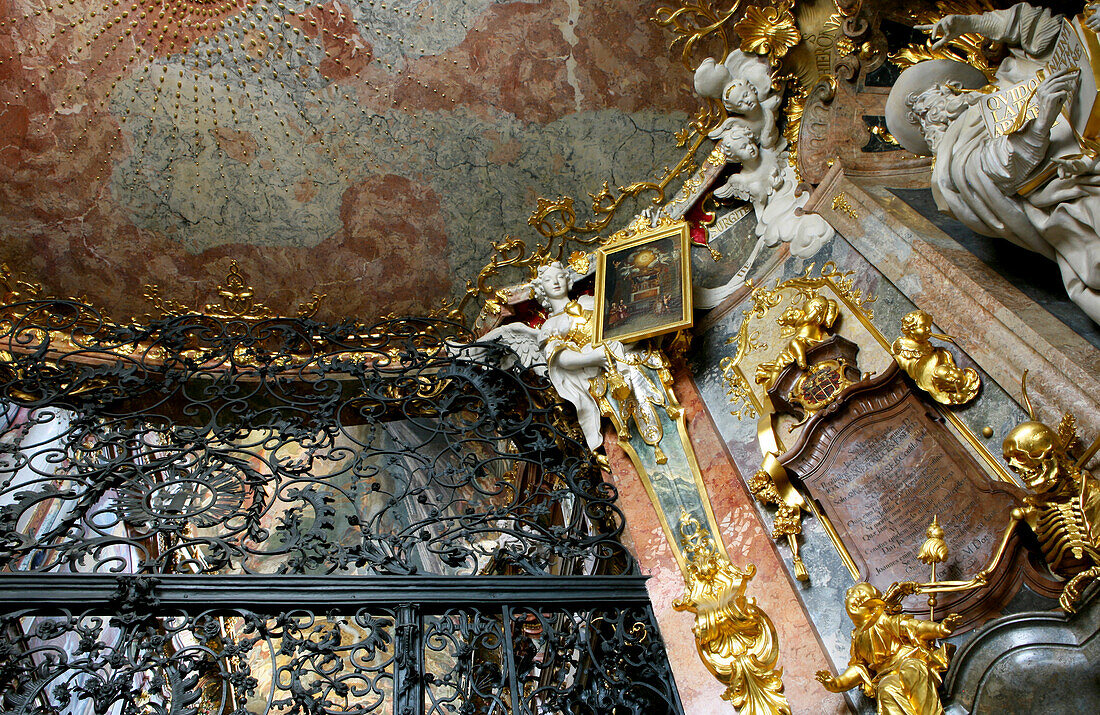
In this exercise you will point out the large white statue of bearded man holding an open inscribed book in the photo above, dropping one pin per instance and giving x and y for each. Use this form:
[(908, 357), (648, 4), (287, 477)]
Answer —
[(982, 177)]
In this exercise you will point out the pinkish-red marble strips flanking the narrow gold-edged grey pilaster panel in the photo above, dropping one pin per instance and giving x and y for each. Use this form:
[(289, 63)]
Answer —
[(747, 541)]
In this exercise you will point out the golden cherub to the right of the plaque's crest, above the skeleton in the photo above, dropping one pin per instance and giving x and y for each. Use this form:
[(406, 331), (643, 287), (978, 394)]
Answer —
[(933, 369)]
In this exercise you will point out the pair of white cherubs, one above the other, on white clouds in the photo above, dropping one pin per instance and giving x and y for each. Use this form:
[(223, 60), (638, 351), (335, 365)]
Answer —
[(751, 137)]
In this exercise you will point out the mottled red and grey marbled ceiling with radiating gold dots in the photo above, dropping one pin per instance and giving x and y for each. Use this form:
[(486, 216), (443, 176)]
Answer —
[(362, 149)]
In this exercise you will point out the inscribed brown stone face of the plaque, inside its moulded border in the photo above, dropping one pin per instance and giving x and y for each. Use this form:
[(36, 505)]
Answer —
[(887, 482)]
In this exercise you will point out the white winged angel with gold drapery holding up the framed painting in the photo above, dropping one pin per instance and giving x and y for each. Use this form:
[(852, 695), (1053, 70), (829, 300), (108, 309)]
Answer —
[(581, 372)]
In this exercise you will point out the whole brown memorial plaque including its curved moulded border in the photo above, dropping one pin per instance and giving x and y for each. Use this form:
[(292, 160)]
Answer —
[(882, 464)]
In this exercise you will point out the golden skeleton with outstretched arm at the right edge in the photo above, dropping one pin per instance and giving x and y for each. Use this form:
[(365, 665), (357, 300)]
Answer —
[(1063, 510)]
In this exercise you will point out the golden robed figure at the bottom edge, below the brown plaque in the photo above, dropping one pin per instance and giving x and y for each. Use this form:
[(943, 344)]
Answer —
[(894, 659)]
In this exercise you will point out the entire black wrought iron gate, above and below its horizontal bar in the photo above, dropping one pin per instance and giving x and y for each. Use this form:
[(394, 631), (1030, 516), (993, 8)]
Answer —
[(233, 514)]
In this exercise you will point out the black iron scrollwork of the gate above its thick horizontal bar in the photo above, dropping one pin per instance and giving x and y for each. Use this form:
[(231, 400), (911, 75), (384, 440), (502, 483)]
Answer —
[(195, 445)]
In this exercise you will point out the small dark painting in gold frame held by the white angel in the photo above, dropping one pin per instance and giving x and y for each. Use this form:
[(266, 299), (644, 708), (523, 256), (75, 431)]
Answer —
[(644, 285)]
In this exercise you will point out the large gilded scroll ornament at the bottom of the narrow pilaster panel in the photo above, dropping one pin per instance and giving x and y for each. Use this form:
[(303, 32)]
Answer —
[(735, 637)]
